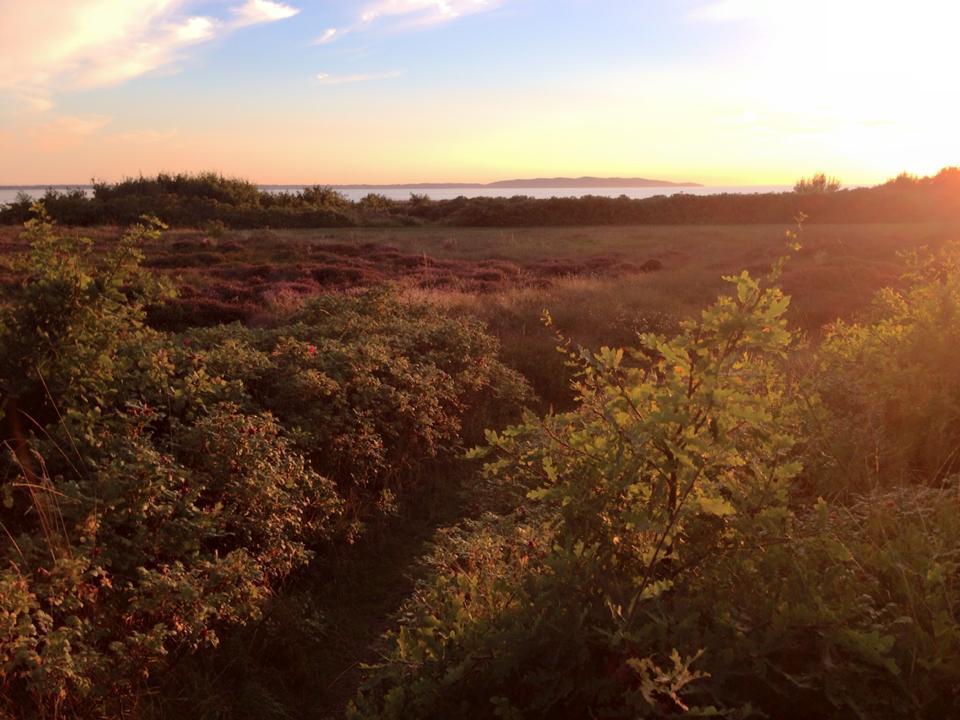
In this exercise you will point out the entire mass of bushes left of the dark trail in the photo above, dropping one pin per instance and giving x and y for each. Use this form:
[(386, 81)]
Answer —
[(157, 487)]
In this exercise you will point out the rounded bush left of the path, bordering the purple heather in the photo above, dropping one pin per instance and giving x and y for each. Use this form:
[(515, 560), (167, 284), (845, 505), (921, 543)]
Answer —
[(372, 390)]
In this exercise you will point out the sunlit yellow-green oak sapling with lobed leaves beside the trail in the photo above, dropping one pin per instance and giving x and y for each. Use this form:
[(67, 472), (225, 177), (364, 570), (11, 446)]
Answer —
[(679, 451)]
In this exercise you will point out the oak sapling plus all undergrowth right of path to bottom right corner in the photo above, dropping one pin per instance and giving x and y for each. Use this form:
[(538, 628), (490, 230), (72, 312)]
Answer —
[(663, 560)]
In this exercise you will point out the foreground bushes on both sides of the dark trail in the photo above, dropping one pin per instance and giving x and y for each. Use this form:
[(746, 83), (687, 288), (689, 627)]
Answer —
[(728, 522)]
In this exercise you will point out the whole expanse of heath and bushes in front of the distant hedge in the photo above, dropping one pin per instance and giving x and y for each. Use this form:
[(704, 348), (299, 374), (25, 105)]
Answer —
[(718, 478)]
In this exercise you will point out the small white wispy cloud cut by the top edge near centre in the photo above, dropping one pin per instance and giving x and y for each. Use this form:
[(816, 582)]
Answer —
[(406, 14)]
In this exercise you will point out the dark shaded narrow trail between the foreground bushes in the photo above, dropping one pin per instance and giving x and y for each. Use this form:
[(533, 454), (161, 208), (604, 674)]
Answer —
[(304, 660)]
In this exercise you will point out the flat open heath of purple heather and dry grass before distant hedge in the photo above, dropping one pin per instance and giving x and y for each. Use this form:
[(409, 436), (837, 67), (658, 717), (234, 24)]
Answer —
[(663, 269)]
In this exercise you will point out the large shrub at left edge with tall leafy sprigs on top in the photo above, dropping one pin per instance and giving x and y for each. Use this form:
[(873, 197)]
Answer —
[(144, 511)]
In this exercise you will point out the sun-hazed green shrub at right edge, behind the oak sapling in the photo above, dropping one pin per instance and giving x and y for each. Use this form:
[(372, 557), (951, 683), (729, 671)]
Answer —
[(891, 383)]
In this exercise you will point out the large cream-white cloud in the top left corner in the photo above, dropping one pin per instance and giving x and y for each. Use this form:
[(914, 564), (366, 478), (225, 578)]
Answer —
[(51, 45)]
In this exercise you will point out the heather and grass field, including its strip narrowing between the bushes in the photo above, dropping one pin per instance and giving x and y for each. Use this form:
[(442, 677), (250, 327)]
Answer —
[(601, 285)]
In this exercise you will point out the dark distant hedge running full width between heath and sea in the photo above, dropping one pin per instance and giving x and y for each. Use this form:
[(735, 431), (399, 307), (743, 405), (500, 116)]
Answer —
[(196, 200)]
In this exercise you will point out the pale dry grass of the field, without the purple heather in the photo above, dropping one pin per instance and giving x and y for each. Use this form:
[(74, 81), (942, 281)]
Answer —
[(835, 274)]
